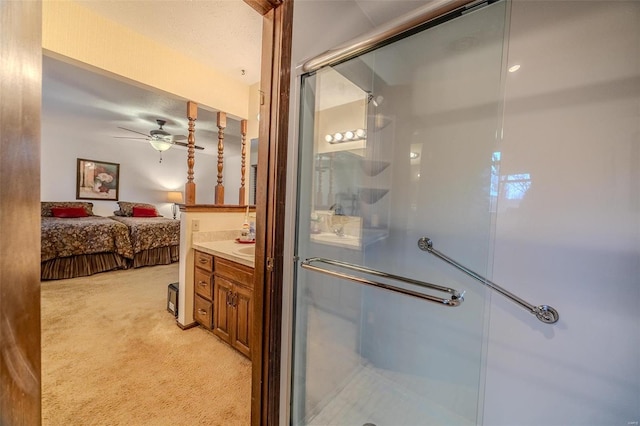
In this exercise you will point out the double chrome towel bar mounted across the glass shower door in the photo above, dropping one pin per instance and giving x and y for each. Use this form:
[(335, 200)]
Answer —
[(455, 300)]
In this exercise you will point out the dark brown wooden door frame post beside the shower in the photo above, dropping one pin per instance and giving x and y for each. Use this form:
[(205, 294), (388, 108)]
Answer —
[(270, 207)]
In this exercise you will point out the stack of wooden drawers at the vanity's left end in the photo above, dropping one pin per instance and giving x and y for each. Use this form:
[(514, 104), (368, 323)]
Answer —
[(203, 289)]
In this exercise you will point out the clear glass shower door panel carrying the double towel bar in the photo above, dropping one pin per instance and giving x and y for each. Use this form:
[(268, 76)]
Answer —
[(397, 144)]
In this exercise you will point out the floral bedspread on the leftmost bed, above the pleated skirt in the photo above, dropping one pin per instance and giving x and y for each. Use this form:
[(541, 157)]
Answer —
[(63, 237)]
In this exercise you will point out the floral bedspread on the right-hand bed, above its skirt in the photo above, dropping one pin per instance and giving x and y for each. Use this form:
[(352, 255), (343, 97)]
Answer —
[(148, 233)]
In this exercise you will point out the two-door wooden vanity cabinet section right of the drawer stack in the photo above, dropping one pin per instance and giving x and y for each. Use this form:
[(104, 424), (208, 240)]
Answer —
[(233, 304)]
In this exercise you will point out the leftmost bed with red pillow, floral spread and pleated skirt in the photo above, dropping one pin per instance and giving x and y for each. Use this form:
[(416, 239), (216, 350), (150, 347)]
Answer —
[(75, 243)]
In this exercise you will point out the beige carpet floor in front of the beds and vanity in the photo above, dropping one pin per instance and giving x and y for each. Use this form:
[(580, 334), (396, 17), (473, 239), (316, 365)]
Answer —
[(113, 355)]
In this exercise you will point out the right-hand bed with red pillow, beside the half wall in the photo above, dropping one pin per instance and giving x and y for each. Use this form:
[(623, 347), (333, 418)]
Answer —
[(155, 239)]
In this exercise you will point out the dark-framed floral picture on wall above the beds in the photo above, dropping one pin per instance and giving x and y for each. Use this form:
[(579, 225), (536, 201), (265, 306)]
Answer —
[(97, 180)]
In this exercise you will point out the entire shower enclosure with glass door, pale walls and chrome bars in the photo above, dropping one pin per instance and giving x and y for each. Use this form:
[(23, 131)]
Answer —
[(499, 143)]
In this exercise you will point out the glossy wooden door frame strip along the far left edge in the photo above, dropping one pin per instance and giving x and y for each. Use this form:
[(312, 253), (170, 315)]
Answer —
[(20, 85)]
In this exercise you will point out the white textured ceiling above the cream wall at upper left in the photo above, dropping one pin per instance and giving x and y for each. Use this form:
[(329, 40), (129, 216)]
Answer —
[(223, 34)]
